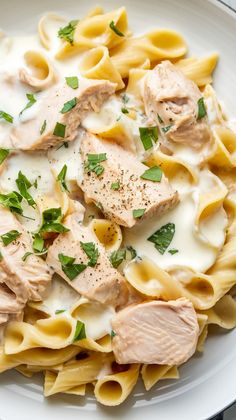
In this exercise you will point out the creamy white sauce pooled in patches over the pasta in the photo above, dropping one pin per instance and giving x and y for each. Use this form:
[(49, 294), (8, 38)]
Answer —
[(196, 250)]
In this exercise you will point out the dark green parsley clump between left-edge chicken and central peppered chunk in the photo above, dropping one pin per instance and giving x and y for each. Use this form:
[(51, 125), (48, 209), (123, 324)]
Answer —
[(52, 221)]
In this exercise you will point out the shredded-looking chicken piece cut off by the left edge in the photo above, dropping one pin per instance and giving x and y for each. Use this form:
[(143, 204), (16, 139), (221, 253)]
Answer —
[(27, 279)]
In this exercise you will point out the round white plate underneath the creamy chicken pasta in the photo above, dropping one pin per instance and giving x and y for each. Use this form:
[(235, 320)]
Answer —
[(207, 383)]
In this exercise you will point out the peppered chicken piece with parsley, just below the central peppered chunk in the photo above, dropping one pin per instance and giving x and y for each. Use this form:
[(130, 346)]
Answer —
[(100, 282)]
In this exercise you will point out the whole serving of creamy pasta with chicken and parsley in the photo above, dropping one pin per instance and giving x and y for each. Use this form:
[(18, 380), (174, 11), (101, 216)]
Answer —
[(117, 205)]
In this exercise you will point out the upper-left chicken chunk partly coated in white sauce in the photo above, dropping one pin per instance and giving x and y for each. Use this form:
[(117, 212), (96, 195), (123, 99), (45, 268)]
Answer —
[(89, 96)]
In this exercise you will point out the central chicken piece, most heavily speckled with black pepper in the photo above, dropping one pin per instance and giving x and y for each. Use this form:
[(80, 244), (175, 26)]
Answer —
[(132, 193)]
